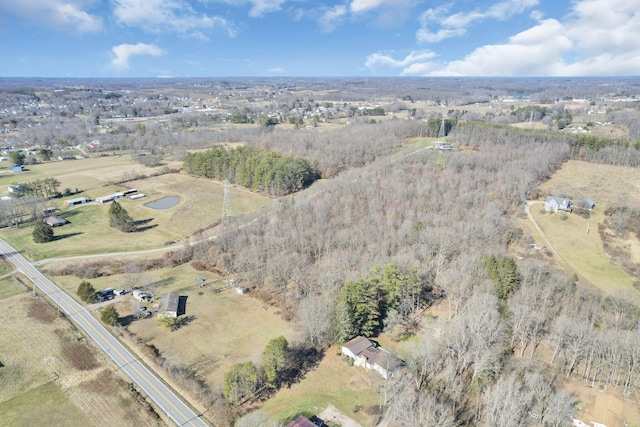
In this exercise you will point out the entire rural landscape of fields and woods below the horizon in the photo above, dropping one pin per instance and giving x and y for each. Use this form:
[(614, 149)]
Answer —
[(306, 251)]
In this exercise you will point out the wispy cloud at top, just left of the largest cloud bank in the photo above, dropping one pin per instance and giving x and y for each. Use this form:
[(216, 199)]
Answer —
[(454, 25)]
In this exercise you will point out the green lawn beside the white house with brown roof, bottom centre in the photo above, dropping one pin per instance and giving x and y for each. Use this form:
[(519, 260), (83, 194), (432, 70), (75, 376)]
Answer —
[(333, 382)]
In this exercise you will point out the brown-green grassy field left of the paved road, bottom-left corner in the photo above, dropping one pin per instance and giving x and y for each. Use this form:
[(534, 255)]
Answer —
[(52, 377)]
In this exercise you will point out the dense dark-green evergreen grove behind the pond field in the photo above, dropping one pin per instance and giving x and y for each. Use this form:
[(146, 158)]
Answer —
[(254, 168)]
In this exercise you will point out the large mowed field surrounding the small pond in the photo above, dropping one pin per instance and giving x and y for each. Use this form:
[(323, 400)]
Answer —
[(88, 231)]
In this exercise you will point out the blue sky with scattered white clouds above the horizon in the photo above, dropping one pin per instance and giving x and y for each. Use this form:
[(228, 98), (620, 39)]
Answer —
[(227, 38)]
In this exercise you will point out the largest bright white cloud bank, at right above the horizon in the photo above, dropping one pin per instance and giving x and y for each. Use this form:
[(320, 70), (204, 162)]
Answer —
[(600, 37)]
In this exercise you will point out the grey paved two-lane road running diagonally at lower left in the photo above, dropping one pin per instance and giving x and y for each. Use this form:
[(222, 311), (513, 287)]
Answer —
[(164, 398)]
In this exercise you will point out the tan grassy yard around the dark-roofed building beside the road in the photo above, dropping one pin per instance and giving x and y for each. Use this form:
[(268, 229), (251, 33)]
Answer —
[(226, 328)]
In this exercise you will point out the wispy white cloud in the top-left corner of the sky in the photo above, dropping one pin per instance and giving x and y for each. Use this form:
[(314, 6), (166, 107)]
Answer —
[(60, 14)]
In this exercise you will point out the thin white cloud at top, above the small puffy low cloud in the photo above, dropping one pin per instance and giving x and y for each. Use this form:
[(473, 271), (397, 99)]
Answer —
[(168, 15)]
